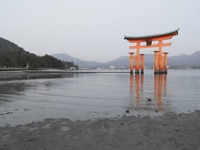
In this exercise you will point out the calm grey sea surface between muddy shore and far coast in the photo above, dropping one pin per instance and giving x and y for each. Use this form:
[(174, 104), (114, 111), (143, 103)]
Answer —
[(94, 95)]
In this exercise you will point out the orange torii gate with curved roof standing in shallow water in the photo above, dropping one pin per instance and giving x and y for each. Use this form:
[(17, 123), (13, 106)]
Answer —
[(160, 58)]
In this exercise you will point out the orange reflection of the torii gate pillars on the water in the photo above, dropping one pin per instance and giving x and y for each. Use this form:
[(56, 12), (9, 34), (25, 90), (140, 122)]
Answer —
[(137, 92)]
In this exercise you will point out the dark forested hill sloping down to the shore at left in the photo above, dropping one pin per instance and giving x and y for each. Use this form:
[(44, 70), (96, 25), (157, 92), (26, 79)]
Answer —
[(12, 55)]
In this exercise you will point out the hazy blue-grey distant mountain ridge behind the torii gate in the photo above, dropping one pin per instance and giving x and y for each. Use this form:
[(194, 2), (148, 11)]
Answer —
[(123, 61)]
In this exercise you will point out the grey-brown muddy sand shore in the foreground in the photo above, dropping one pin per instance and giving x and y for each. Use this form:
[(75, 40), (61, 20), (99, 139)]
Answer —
[(170, 131)]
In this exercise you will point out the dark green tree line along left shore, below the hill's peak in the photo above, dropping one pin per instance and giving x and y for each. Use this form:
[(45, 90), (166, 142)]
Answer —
[(23, 59)]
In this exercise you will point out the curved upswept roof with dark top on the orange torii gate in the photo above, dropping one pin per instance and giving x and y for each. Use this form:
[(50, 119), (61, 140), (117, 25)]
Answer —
[(146, 38)]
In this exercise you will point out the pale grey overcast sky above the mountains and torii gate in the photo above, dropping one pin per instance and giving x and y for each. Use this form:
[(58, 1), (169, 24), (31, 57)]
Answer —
[(94, 29)]
